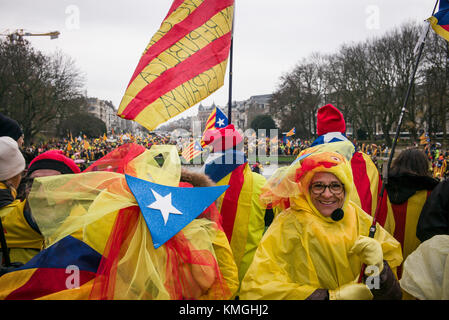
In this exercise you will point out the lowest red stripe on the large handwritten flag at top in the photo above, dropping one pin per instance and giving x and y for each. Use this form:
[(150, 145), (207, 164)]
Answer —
[(211, 55)]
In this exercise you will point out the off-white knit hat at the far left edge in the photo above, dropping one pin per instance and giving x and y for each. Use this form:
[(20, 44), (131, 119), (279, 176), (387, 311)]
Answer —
[(12, 161)]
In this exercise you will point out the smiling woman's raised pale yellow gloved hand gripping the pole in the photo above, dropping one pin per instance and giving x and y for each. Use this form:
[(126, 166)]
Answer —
[(370, 252)]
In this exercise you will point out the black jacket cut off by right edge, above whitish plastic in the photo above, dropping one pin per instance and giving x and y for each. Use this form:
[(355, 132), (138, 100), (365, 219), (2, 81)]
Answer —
[(434, 218)]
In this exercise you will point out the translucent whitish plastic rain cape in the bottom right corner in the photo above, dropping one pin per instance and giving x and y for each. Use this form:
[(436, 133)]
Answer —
[(426, 270)]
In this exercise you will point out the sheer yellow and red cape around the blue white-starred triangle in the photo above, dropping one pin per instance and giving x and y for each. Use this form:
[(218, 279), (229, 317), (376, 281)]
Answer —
[(98, 208)]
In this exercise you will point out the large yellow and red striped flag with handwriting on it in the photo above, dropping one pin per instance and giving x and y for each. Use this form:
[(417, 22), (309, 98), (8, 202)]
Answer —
[(184, 62)]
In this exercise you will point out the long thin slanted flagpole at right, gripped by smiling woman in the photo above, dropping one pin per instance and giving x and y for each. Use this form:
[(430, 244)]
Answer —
[(386, 172)]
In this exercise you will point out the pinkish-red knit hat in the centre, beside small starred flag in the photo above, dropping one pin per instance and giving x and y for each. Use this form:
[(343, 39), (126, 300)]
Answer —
[(223, 138)]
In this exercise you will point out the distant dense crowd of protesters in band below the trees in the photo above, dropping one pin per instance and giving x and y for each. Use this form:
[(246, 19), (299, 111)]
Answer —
[(85, 150)]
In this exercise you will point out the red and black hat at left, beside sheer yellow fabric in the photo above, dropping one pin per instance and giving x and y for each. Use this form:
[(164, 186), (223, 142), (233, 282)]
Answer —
[(55, 160)]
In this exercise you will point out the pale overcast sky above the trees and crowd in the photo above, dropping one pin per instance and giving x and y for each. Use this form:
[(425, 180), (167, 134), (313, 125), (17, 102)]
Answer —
[(107, 38)]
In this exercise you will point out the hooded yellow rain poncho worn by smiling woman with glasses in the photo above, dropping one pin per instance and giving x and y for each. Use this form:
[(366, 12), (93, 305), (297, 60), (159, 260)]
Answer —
[(302, 250)]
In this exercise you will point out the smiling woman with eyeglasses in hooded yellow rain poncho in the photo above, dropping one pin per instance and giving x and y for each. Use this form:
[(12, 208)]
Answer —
[(317, 247)]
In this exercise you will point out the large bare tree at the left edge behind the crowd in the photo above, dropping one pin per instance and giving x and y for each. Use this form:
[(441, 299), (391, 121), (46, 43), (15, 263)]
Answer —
[(37, 90)]
